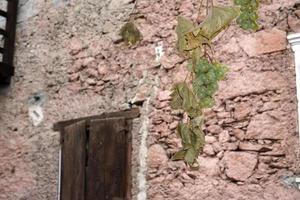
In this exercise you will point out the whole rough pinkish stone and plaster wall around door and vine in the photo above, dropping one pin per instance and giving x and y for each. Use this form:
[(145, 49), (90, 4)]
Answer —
[(70, 50)]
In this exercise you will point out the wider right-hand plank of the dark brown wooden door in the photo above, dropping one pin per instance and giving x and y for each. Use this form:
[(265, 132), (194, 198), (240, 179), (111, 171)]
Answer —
[(106, 173)]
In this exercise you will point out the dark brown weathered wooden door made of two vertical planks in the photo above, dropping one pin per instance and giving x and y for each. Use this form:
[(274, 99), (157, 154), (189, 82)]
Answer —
[(96, 155)]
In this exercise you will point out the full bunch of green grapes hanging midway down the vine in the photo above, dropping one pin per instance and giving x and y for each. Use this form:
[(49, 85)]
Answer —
[(207, 76)]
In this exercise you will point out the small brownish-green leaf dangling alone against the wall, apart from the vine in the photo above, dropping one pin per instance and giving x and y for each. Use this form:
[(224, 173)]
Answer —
[(130, 33)]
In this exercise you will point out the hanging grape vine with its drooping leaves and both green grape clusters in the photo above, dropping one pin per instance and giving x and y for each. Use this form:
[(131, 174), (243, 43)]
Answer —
[(197, 92)]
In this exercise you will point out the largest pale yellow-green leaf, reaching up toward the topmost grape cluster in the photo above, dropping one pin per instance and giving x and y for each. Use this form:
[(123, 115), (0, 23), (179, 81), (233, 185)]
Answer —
[(218, 18)]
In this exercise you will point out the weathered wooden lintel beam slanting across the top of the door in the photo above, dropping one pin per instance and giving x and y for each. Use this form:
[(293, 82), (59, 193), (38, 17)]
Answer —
[(128, 114)]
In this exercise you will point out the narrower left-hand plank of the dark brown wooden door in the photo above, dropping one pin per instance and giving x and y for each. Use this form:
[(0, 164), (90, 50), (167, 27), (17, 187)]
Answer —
[(73, 162)]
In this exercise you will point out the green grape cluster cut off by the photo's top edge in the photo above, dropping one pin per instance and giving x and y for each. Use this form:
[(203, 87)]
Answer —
[(248, 17)]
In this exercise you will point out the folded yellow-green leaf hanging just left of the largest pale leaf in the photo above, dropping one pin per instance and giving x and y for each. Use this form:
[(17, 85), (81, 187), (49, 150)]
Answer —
[(184, 25)]
